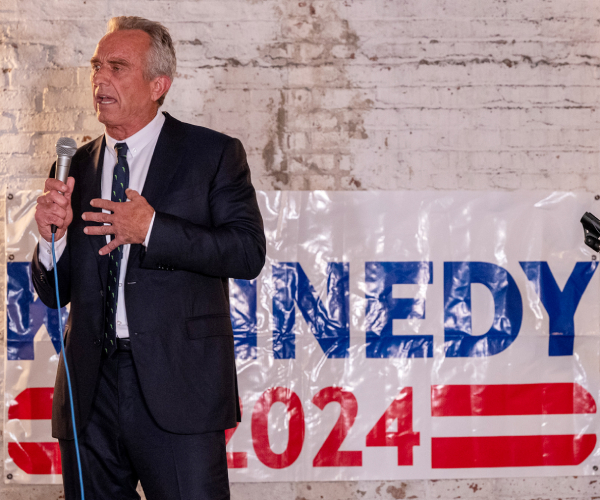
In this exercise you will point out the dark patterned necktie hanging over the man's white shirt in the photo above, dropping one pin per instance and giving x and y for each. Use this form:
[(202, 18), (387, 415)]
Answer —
[(119, 185)]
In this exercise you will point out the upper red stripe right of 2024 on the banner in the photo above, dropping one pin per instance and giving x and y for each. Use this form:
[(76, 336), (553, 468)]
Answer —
[(513, 399)]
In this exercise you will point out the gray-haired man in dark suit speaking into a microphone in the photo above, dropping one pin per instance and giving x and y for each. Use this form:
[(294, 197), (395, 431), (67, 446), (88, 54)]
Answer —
[(155, 218)]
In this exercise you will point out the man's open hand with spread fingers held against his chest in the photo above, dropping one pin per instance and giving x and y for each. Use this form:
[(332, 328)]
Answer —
[(129, 221)]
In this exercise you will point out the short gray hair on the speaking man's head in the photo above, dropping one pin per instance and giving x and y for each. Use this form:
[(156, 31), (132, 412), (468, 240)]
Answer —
[(161, 56)]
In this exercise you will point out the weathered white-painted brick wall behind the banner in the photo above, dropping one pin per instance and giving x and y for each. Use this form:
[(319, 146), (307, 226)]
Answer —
[(346, 94)]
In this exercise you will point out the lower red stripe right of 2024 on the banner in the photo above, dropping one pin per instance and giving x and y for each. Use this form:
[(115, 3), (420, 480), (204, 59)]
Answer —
[(510, 451)]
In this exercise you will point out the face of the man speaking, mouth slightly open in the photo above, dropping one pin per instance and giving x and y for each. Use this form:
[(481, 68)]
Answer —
[(123, 99)]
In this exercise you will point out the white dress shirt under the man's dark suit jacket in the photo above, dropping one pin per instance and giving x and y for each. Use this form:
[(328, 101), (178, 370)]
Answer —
[(140, 148)]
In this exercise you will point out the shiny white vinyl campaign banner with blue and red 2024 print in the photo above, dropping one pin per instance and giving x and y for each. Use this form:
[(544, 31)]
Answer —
[(391, 335)]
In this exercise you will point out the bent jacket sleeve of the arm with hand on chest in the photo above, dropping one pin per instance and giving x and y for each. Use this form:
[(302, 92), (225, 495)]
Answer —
[(234, 246)]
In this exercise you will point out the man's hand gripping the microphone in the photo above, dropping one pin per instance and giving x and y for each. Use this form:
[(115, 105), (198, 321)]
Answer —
[(54, 208)]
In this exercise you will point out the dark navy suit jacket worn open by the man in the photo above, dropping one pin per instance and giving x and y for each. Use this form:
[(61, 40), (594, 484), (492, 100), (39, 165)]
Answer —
[(207, 229)]
